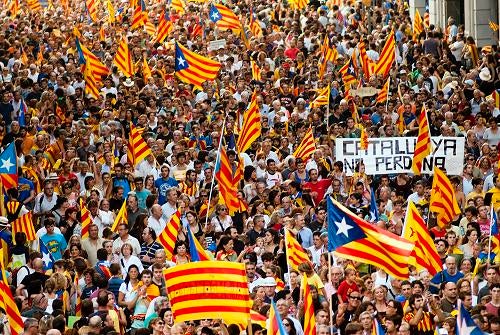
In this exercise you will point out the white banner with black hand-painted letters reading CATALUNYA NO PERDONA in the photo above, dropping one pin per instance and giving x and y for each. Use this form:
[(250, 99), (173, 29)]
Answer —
[(392, 155)]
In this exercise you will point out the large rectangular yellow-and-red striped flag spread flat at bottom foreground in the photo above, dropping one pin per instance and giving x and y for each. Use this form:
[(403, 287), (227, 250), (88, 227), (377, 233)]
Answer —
[(209, 290)]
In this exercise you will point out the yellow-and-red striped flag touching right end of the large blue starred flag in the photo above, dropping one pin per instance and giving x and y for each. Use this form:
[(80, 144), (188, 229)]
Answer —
[(424, 254)]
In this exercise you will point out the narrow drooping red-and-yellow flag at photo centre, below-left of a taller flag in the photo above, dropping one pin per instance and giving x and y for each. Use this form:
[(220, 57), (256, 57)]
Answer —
[(227, 187)]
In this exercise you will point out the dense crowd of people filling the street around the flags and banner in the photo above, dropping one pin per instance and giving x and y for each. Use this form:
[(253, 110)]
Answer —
[(112, 282)]
